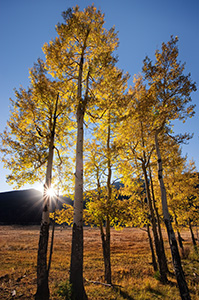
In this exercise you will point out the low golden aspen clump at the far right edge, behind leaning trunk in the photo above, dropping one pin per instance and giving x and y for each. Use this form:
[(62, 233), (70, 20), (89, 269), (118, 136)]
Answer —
[(183, 204)]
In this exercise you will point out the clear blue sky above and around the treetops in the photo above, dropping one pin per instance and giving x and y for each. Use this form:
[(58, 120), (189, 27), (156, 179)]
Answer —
[(25, 25)]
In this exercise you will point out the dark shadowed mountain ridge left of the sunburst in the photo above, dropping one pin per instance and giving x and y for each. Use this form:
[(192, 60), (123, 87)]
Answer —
[(23, 207)]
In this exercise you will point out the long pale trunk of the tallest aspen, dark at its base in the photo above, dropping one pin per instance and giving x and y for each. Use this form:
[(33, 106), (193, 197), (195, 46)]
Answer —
[(76, 265)]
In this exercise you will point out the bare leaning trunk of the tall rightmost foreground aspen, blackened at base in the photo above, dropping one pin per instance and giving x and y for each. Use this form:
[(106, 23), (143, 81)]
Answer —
[(183, 288)]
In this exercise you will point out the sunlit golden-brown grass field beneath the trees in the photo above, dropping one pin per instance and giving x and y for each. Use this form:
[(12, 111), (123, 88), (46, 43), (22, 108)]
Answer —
[(132, 272)]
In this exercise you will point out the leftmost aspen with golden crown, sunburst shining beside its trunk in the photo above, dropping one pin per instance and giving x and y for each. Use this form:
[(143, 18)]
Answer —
[(33, 135)]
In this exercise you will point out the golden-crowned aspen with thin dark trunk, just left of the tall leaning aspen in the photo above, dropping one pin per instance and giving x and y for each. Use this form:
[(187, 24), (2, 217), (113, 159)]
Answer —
[(137, 146)]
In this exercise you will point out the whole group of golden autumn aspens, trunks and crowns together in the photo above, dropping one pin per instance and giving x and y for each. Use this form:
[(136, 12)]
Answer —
[(79, 87)]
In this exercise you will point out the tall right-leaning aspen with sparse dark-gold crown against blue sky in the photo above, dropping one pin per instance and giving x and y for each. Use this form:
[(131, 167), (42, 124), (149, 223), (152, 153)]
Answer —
[(170, 90)]
